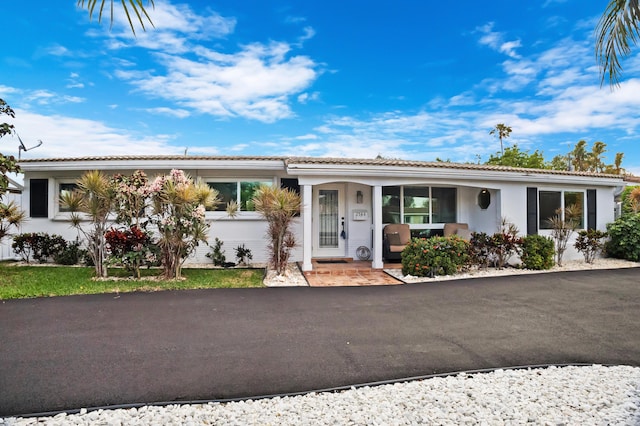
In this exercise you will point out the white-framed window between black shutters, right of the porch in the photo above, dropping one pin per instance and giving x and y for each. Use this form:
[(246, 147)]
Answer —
[(552, 203)]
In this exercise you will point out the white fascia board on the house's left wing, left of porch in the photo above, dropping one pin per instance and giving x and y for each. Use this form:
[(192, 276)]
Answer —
[(186, 164)]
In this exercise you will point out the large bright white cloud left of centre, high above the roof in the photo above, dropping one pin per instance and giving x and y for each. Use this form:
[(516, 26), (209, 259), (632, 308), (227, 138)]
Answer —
[(256, 82)]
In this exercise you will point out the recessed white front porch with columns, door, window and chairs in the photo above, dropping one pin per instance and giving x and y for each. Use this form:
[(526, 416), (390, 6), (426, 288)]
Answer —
[(346, 219)]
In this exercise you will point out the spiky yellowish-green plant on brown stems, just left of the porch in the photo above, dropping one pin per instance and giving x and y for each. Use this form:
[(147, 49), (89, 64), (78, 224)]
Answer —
[(278, 206)]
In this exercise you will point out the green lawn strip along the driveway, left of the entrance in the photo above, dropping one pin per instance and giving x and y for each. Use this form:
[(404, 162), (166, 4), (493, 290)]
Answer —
[(42, 281)]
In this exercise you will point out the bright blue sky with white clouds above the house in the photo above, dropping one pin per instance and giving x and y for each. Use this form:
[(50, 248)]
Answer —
[(407, 79)]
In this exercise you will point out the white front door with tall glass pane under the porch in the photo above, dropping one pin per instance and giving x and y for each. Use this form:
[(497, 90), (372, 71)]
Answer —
[(329, 221)]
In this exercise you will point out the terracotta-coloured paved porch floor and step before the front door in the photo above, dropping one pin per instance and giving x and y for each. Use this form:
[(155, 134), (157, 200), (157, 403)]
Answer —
[(349, 272)]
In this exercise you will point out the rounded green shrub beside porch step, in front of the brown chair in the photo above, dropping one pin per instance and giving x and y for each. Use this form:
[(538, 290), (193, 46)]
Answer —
[(435, 256)]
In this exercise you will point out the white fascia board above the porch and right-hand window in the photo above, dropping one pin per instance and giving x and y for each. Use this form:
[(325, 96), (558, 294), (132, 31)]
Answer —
[(375, 173)]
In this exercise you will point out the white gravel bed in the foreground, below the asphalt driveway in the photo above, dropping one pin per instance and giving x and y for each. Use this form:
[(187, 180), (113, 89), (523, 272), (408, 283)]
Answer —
[(594, 395)]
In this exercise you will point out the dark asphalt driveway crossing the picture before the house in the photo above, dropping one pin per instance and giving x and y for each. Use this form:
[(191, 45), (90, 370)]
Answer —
[(87, 351)]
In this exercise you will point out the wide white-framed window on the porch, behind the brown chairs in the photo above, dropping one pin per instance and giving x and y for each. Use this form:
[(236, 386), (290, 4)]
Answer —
[(419, 205)]
